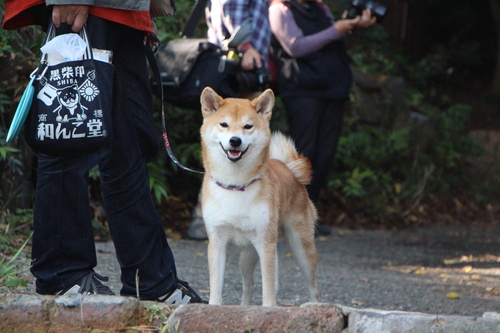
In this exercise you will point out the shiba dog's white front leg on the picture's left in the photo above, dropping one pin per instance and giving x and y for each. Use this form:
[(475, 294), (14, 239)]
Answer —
[(216, 265)]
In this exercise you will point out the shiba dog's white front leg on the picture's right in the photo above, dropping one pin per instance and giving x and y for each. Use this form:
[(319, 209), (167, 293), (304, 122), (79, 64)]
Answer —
[(268, 253)]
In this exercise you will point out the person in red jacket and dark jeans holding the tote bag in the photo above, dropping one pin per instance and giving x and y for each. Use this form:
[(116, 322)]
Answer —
[(63, 253)]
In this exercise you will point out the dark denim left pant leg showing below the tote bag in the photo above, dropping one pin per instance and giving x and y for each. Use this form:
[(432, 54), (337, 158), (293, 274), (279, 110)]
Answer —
[(63, 242)]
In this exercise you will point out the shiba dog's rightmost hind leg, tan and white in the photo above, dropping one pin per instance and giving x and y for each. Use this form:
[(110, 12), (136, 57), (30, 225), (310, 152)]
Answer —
[(304, 251)]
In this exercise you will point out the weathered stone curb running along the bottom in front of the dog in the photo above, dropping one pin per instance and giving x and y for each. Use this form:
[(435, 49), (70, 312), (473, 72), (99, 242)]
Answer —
[(36, 313)]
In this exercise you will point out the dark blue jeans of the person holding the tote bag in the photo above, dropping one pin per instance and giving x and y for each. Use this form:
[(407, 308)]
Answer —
[(63, 242)]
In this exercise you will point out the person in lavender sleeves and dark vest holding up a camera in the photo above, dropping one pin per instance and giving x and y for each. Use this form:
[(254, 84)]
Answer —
[(314, 78)]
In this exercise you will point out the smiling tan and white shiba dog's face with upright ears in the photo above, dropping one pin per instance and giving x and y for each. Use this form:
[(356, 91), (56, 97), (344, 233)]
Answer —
[(236, 127)]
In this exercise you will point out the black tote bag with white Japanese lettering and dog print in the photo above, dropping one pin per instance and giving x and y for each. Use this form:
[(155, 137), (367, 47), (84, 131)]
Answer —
[(72, 103)]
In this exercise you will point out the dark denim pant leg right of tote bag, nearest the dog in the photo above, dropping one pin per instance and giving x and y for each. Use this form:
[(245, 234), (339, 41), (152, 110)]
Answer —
[(135, 227)]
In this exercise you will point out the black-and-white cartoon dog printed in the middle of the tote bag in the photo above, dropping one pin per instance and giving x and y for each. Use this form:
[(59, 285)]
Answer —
[(70, 109)]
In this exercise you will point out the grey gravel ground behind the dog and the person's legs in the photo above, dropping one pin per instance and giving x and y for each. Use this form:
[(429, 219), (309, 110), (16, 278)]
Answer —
[(446, 270)]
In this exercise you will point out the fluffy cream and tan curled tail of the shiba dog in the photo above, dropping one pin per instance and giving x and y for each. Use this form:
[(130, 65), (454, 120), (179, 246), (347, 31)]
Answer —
[(282, 148)]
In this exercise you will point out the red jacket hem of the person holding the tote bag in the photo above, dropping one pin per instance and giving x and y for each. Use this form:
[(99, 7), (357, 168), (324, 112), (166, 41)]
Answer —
[(17, 15)]
